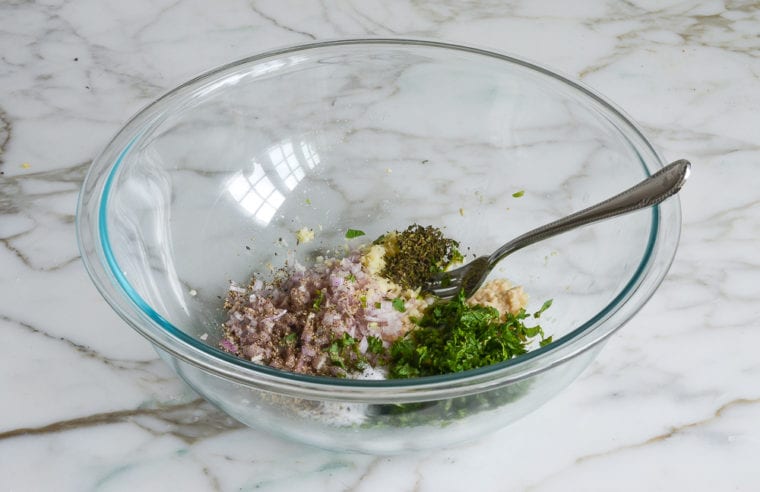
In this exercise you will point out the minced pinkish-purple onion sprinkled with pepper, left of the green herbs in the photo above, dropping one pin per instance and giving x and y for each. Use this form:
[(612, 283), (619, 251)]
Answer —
[(317, 306)]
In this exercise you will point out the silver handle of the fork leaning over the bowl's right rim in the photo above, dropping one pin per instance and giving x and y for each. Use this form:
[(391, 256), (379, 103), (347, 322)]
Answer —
[(654, 189)]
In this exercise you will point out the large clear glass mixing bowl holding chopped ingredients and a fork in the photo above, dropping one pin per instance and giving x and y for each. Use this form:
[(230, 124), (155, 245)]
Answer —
[(209, 184)]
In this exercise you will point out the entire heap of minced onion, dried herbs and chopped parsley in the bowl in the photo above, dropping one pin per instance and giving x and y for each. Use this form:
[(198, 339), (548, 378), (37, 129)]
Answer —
[(365, 316)]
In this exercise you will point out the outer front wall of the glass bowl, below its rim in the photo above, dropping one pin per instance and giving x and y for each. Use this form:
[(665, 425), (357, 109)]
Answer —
[(385, 429)]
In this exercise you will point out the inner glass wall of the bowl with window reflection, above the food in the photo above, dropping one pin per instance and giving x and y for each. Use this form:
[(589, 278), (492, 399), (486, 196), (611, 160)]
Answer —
[(342, 152)]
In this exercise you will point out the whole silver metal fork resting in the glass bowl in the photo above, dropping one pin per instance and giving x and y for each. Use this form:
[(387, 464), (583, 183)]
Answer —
[(653, 190)]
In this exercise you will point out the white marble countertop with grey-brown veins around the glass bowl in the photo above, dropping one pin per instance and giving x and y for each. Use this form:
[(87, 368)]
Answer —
[(673, 401)]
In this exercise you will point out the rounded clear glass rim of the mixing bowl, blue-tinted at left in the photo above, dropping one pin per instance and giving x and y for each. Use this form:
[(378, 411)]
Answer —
[(105, 273)]
